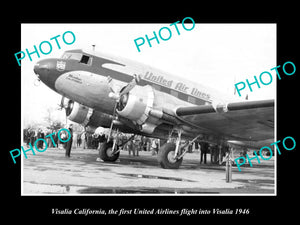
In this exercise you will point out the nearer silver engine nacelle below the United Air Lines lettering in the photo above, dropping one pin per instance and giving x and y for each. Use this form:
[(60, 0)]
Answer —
[(136, 106)]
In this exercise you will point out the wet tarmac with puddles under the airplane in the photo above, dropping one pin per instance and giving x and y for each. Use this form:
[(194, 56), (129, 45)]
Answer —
[(51, 173)]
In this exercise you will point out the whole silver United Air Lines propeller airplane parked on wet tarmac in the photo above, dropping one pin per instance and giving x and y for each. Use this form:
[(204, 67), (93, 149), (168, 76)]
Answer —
[(99, 89)]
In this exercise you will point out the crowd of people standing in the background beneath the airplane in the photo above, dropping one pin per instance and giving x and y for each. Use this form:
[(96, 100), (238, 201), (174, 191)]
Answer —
[(133, 144)]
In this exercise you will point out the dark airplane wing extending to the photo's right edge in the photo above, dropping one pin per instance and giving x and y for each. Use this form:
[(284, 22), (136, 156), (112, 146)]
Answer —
[(248, 120)]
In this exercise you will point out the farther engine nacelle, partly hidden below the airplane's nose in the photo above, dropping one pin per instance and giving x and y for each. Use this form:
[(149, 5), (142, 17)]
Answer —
[(87, 116)]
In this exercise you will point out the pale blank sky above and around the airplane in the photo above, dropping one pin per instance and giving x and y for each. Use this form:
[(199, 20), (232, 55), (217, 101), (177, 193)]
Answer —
[(214, 55)]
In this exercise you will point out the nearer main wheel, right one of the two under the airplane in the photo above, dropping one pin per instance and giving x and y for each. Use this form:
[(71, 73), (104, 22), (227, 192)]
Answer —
[(166, 157)]
